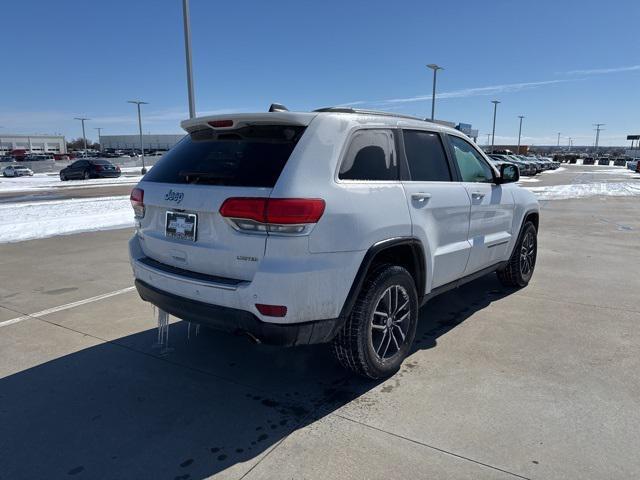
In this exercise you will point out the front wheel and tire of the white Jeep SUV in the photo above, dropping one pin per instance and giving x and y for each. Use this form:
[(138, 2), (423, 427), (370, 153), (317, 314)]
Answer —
[(519, 269)]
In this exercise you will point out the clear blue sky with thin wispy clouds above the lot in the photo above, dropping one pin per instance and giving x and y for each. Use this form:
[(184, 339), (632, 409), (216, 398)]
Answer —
[(563, 64)]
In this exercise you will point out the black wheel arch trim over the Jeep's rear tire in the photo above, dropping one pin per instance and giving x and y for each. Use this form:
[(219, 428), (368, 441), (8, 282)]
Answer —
[(407, 252)]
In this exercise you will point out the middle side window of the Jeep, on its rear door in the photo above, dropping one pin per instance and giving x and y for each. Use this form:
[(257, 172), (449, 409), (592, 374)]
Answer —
[(426, 157)]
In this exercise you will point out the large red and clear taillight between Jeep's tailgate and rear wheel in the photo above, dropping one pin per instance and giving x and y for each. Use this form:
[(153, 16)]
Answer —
[(274, 215)]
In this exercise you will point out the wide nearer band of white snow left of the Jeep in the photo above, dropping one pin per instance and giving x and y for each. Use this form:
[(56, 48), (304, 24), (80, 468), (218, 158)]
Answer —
[(26, 221)]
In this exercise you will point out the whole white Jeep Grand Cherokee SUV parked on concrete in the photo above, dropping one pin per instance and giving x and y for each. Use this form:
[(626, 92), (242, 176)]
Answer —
[(329, 226)]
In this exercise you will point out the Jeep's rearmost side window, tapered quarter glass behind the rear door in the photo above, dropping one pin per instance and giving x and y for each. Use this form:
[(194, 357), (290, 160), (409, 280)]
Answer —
[(371, 156)]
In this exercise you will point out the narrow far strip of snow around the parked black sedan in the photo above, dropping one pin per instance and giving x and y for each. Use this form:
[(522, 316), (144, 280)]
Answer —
[(47, 181)]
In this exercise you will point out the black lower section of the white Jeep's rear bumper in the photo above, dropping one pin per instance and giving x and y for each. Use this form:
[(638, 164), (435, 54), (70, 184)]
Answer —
[(237, 321)]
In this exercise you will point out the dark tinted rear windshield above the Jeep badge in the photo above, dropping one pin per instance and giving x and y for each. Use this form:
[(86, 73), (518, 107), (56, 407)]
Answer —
[(252, 156)]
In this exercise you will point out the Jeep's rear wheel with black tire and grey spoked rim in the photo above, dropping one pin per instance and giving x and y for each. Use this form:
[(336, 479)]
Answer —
[(359, 345)]
